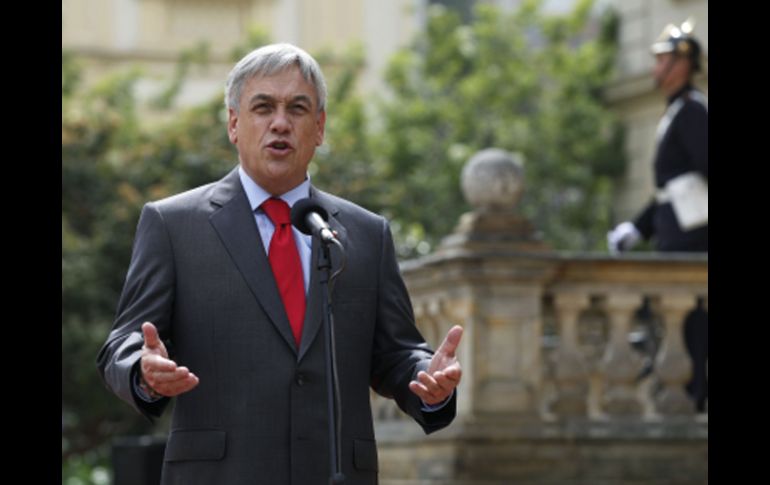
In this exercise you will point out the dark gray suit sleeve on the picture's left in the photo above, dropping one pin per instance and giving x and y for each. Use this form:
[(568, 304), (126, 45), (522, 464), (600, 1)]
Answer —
[(147, 296)]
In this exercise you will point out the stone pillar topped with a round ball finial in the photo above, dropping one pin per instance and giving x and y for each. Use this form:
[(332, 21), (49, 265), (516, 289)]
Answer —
[(503, 284)]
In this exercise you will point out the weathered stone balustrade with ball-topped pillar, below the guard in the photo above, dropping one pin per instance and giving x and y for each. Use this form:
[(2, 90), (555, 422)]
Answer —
[(558, 384)]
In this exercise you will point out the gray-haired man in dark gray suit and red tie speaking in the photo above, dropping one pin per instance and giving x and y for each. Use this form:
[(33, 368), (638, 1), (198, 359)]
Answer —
[(209, 317)]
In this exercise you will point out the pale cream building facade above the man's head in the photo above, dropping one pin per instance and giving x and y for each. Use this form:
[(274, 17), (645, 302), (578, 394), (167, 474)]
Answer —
[(107, 35)]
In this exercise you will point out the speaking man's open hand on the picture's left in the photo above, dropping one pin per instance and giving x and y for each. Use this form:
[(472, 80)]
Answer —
[(159, 372)]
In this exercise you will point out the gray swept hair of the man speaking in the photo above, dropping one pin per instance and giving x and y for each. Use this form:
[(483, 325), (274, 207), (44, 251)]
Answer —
[(272, 59)]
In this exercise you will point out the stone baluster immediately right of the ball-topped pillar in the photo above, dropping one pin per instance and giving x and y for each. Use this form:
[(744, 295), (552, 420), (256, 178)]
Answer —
[(571, 375)]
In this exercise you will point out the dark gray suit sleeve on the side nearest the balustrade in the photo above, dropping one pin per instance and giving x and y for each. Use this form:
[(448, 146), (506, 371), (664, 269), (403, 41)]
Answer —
[(400, 352)]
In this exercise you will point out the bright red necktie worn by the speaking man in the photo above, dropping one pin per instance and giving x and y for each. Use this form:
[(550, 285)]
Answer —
[(286, 265)]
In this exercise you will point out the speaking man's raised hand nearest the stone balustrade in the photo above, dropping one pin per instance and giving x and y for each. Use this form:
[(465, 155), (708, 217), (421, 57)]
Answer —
[(444, 372)]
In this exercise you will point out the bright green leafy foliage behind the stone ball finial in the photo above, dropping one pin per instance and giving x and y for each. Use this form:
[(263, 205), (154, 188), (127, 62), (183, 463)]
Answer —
[(523, 82)]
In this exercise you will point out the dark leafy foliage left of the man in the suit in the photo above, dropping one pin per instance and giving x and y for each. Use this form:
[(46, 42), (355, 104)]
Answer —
[(110, 168)]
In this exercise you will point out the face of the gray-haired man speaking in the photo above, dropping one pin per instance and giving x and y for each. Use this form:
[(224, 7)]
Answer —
[(277, 129)]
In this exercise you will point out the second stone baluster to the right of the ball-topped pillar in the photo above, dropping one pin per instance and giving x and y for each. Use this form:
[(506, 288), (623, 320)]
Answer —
[(620, 365)]
